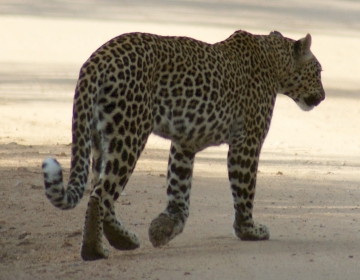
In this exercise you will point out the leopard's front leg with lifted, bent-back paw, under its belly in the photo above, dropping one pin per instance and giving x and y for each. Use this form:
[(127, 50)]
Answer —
[(172, 220)]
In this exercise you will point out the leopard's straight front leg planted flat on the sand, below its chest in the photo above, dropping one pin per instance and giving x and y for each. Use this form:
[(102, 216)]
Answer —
[(242, 167)]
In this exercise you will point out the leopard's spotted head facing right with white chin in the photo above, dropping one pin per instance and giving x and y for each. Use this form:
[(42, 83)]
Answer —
[(302, 79)]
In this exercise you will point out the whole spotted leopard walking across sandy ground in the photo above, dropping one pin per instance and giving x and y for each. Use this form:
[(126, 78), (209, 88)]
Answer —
[(195, 94)]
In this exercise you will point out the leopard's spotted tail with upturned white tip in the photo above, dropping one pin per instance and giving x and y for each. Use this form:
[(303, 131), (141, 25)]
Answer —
[(80, 159)]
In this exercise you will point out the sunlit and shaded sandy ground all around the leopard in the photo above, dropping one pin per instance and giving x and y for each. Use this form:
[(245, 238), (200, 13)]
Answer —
[(308, 184)]
